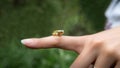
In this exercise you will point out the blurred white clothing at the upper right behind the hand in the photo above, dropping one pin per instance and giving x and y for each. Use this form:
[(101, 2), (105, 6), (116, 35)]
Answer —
[(113, 14)]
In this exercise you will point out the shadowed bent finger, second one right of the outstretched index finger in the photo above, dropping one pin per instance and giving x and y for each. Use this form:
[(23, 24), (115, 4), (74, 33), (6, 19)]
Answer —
[(104, 61)]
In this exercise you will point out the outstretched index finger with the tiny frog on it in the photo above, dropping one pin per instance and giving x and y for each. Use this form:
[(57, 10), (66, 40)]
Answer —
[(65, 42)]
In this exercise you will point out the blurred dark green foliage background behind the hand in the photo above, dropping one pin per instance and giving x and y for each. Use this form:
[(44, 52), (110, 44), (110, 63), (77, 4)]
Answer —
[(21, 19)]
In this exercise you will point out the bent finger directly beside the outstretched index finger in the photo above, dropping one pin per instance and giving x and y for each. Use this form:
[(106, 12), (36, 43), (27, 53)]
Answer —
[(85, 59)]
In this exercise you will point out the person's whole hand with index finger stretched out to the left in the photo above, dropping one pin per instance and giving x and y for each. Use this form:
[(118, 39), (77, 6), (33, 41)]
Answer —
[(103, 47)]
